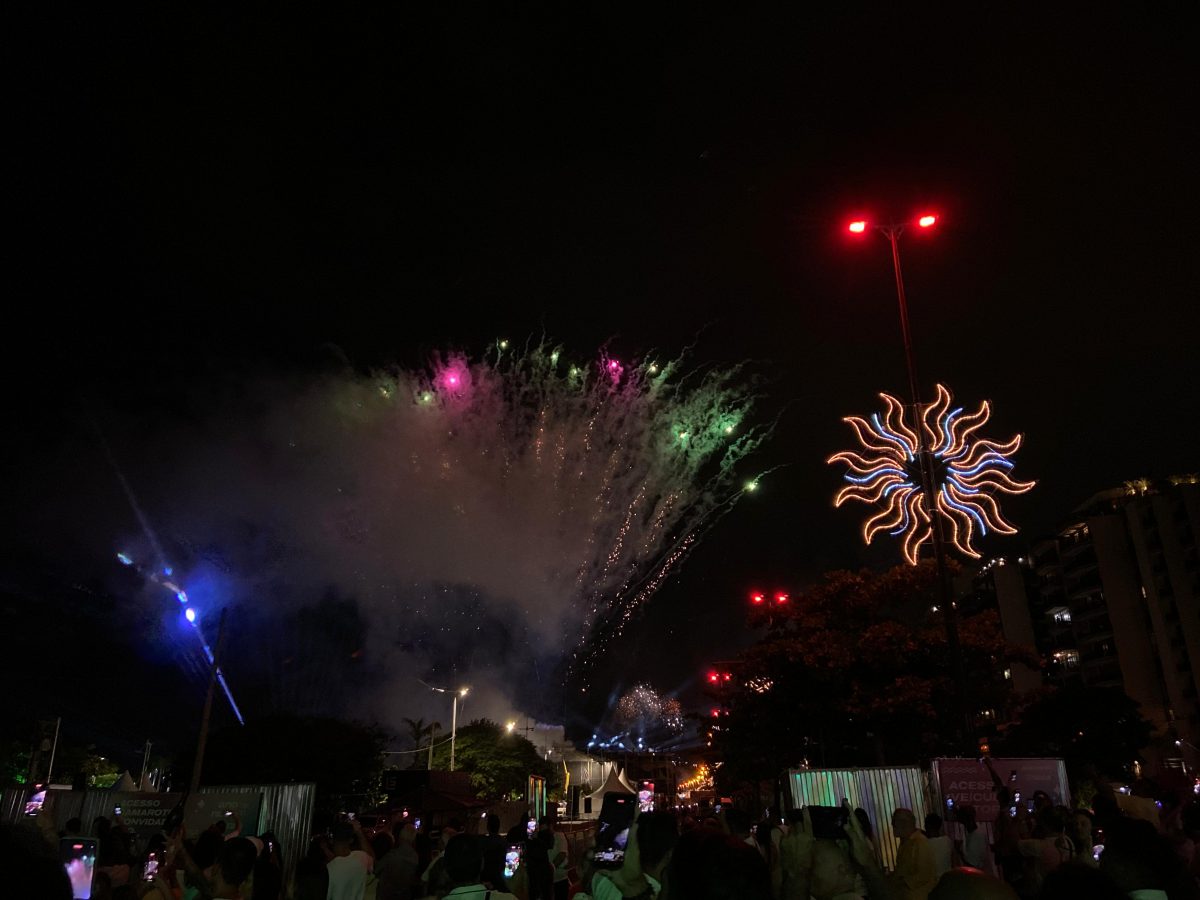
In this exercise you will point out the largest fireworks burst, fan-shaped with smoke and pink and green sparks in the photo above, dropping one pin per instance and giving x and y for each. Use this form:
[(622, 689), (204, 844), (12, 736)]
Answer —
[(567, 494)]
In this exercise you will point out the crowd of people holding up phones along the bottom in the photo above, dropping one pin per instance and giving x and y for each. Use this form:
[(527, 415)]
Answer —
[(1041, 851)]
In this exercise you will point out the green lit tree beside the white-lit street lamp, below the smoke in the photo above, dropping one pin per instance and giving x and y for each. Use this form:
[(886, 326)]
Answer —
[(500, 764)]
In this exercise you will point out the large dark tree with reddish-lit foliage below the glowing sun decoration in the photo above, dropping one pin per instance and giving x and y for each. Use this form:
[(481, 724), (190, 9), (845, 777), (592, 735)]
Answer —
[(856, 671)]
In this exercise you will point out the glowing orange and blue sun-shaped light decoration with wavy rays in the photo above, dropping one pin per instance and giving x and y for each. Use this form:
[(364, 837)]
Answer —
[(967, 473)]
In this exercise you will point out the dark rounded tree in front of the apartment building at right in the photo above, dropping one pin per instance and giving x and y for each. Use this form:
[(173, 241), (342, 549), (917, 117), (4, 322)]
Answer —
[(1100, 728)]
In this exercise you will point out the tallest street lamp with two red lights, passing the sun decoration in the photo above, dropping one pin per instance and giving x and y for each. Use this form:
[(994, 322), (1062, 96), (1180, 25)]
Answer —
[(893, 231)]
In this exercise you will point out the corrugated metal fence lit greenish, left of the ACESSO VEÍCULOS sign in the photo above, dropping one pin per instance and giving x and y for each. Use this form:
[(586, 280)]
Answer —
[(880, 791)]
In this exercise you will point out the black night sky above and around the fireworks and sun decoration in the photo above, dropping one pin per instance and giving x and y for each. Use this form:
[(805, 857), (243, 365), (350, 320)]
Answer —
[(205, 201)]
